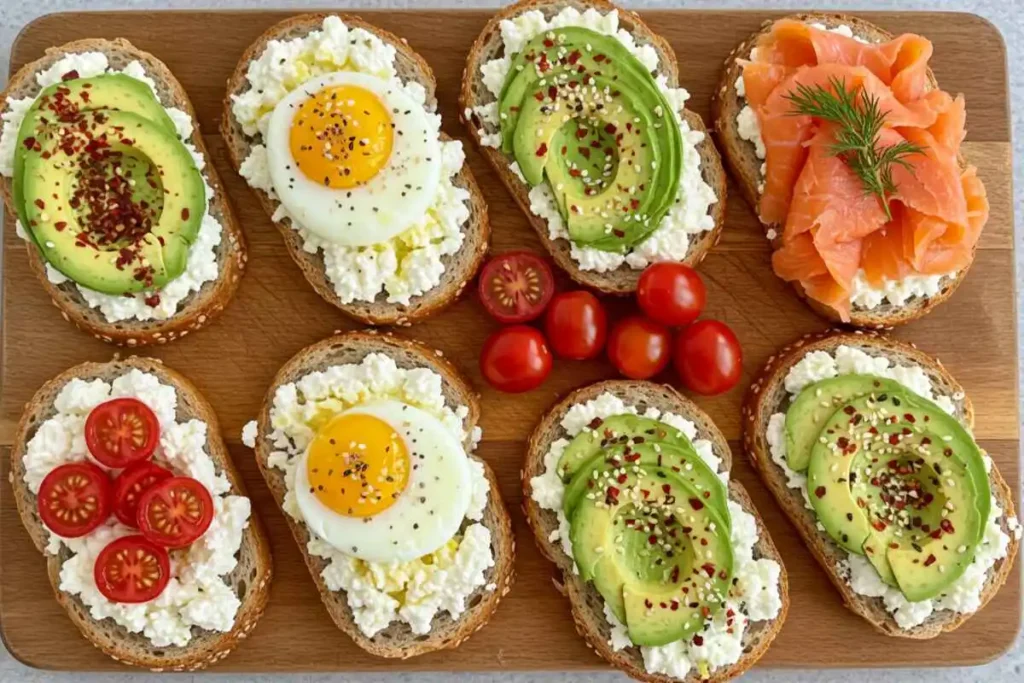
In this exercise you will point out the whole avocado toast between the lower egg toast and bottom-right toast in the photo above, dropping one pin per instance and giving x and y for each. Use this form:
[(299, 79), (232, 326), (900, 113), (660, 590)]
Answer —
[(669, 570)]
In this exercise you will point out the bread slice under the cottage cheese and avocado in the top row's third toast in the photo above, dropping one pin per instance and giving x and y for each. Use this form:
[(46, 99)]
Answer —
[(490, 47)]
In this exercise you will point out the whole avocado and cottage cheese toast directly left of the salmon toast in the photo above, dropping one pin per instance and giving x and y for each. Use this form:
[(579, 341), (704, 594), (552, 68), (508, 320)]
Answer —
[(578, 106)]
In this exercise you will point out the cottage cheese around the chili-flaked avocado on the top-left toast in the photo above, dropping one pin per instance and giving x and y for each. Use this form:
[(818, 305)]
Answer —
[(202, 265)]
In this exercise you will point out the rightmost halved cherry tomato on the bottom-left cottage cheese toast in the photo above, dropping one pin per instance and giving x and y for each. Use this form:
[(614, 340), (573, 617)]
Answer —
[(176, 513)]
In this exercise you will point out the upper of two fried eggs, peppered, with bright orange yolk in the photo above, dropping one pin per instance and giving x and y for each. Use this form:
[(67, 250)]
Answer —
[(354, 159)]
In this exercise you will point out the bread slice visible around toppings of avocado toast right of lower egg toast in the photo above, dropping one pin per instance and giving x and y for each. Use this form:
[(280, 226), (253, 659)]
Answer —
[(587, 604)]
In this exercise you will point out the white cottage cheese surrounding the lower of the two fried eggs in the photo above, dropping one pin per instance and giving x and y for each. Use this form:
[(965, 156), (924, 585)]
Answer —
[(380, 593)]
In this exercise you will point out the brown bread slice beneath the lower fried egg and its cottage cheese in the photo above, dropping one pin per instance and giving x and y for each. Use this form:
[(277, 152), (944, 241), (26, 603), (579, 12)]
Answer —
[(398, 641)]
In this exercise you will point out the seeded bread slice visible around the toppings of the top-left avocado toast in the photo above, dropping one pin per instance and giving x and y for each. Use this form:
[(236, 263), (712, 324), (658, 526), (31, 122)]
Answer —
[(199, 308)]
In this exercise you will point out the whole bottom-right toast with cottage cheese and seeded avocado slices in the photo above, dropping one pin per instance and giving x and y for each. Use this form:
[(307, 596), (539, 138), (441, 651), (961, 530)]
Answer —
[(867, 445)]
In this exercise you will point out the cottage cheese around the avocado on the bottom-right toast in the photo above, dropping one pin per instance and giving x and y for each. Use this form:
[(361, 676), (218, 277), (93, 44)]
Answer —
[(964, 595)]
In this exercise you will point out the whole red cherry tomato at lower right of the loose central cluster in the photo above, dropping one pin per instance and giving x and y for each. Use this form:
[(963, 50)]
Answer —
[(708, 358)]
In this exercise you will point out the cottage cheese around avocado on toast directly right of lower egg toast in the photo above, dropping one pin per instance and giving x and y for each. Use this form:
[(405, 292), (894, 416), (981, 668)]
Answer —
[(756, 595)]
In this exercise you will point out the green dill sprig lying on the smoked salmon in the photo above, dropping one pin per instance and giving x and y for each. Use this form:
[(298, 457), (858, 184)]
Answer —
[(860, 120)]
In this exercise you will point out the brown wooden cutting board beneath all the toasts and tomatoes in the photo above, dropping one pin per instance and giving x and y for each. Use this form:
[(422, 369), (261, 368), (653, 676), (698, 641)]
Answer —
[(276, 314)]
